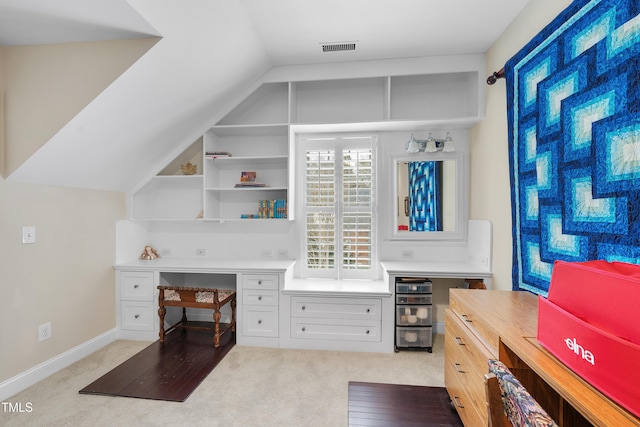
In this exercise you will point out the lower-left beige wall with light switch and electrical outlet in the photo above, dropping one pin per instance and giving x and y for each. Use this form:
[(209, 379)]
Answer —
[(65, 278)]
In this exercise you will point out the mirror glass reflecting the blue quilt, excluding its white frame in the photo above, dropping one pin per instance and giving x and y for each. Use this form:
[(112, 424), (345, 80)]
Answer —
[(426, 196)]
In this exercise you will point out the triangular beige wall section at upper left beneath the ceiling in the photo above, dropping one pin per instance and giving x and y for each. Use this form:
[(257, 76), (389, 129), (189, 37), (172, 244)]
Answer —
[(51, 84)]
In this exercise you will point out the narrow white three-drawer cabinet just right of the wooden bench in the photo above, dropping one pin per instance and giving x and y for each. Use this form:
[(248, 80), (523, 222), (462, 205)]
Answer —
[(259, 324)]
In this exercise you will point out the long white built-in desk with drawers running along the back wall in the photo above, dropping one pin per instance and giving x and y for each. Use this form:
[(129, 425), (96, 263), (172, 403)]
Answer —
[(274, 309)]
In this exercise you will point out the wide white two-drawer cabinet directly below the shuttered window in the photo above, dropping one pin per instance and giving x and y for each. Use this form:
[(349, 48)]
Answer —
[(336, 318)]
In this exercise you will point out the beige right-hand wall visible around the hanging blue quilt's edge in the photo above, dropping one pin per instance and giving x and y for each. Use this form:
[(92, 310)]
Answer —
[(490, 183)]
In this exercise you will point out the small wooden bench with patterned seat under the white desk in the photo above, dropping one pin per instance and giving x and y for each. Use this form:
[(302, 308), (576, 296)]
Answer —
[(210, 298)]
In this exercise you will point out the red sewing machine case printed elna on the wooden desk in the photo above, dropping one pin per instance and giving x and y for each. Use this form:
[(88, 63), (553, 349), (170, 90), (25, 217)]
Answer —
[(590, 322)]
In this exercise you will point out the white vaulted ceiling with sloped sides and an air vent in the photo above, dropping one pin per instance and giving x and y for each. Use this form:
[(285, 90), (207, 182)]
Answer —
[(206, 53)]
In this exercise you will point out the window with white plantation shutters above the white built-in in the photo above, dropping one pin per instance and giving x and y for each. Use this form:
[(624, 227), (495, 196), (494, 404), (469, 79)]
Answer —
[(339, 207)]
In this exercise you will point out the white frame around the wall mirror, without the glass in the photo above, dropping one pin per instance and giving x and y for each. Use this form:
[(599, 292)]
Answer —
[(462, 199)]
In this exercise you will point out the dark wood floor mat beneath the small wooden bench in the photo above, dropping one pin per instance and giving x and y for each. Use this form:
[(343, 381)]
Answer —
[(169, 371)]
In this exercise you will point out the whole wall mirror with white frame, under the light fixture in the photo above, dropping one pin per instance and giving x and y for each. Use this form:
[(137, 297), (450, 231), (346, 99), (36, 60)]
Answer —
[(428, 204)]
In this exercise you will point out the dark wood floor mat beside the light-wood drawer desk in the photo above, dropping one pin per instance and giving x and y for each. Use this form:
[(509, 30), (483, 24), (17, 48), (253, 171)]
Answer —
[(391, 405)]
